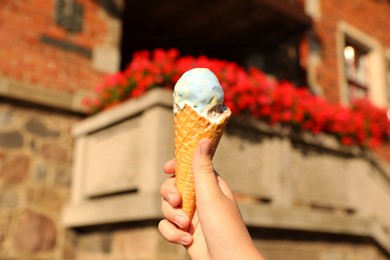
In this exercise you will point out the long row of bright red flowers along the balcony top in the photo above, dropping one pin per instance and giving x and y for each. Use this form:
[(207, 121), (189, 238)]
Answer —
[(248, 91)]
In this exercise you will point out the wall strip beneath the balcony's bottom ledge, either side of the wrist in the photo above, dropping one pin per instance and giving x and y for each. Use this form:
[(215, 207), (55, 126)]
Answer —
[(141, 241)]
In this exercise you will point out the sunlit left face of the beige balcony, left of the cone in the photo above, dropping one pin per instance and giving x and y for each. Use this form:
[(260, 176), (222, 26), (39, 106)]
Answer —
[(118, 157)]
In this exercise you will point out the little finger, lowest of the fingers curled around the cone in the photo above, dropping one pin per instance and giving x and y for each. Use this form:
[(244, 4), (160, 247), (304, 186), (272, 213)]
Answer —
[(174, 235)]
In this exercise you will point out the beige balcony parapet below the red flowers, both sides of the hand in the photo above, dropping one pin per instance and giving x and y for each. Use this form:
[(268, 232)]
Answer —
[(282, 179)]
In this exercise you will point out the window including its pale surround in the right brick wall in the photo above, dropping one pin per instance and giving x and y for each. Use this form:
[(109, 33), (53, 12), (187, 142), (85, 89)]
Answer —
[(361, 66)]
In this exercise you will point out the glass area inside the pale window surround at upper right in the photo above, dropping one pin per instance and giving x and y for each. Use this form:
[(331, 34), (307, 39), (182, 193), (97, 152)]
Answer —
[(356, 64)]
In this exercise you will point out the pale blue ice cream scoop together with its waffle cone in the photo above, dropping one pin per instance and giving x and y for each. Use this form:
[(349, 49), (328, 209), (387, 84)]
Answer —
[(199, 113)]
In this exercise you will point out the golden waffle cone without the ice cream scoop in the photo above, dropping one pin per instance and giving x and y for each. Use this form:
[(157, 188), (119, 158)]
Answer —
[(190, 128)]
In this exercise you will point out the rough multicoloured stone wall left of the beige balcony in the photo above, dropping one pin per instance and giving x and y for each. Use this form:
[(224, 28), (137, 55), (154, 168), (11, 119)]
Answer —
[(35, 176)]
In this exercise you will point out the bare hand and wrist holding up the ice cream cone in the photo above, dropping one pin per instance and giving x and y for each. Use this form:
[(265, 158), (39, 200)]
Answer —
[(217, 230)]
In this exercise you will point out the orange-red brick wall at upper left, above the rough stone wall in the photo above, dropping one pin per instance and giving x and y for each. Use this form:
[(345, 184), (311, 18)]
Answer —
[(25, 57)]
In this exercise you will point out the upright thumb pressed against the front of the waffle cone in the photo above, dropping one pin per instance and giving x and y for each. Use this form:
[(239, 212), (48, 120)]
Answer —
[(206, 183)]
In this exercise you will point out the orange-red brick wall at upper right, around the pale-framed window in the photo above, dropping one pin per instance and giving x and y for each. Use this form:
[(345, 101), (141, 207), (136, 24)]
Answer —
[(369, 16)]
